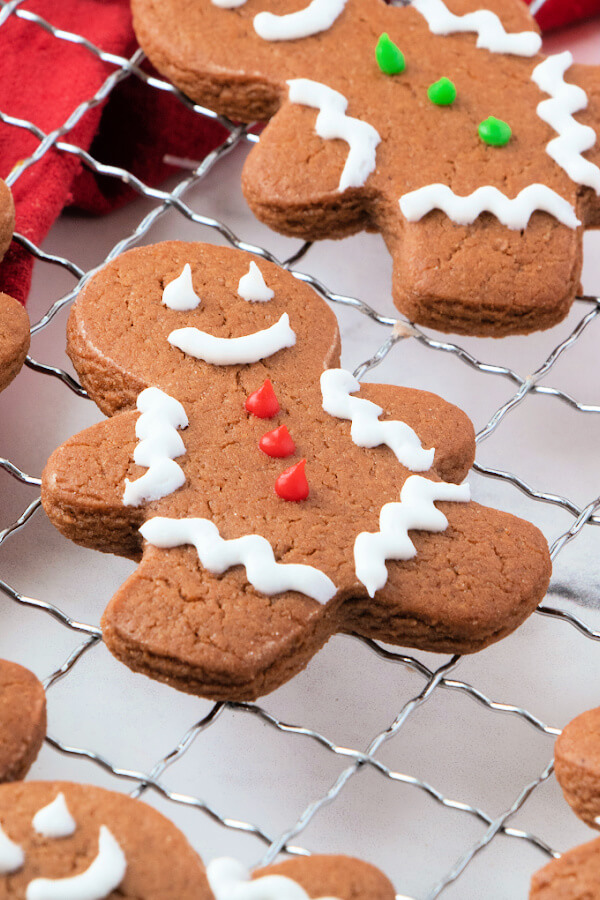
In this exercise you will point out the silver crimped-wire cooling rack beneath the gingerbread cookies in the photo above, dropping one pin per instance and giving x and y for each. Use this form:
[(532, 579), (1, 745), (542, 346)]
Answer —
[(398, 330)]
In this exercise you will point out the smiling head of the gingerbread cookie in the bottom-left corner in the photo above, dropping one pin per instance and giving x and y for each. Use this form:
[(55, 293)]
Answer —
[(143, 857)]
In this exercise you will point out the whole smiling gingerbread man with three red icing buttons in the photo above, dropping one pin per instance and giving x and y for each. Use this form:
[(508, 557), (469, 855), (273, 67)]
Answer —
[(270, 500)]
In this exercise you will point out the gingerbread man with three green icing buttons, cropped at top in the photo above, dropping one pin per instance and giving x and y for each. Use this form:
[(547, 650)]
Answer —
[(436, 123)]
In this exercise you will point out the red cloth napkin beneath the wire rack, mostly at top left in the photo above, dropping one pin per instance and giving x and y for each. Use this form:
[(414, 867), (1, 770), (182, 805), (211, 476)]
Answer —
[(44, 79)]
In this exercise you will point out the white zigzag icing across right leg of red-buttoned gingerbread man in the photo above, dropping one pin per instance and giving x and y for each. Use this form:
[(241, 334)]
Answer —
[(414, 511)]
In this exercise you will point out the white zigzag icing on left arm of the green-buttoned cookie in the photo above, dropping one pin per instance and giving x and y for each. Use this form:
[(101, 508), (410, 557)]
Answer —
[(332, 122)]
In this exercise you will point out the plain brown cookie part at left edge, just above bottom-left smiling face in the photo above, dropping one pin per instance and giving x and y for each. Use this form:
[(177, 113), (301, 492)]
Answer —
[(22, 720)]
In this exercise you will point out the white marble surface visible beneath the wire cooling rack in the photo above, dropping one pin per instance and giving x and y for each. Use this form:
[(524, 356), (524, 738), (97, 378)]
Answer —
[(245, 769)]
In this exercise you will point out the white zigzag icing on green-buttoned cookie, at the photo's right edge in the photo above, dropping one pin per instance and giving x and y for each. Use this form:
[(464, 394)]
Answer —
[(573, 137)]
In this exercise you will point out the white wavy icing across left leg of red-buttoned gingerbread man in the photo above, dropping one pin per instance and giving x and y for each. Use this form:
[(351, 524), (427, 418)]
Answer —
[(251, 551)]
